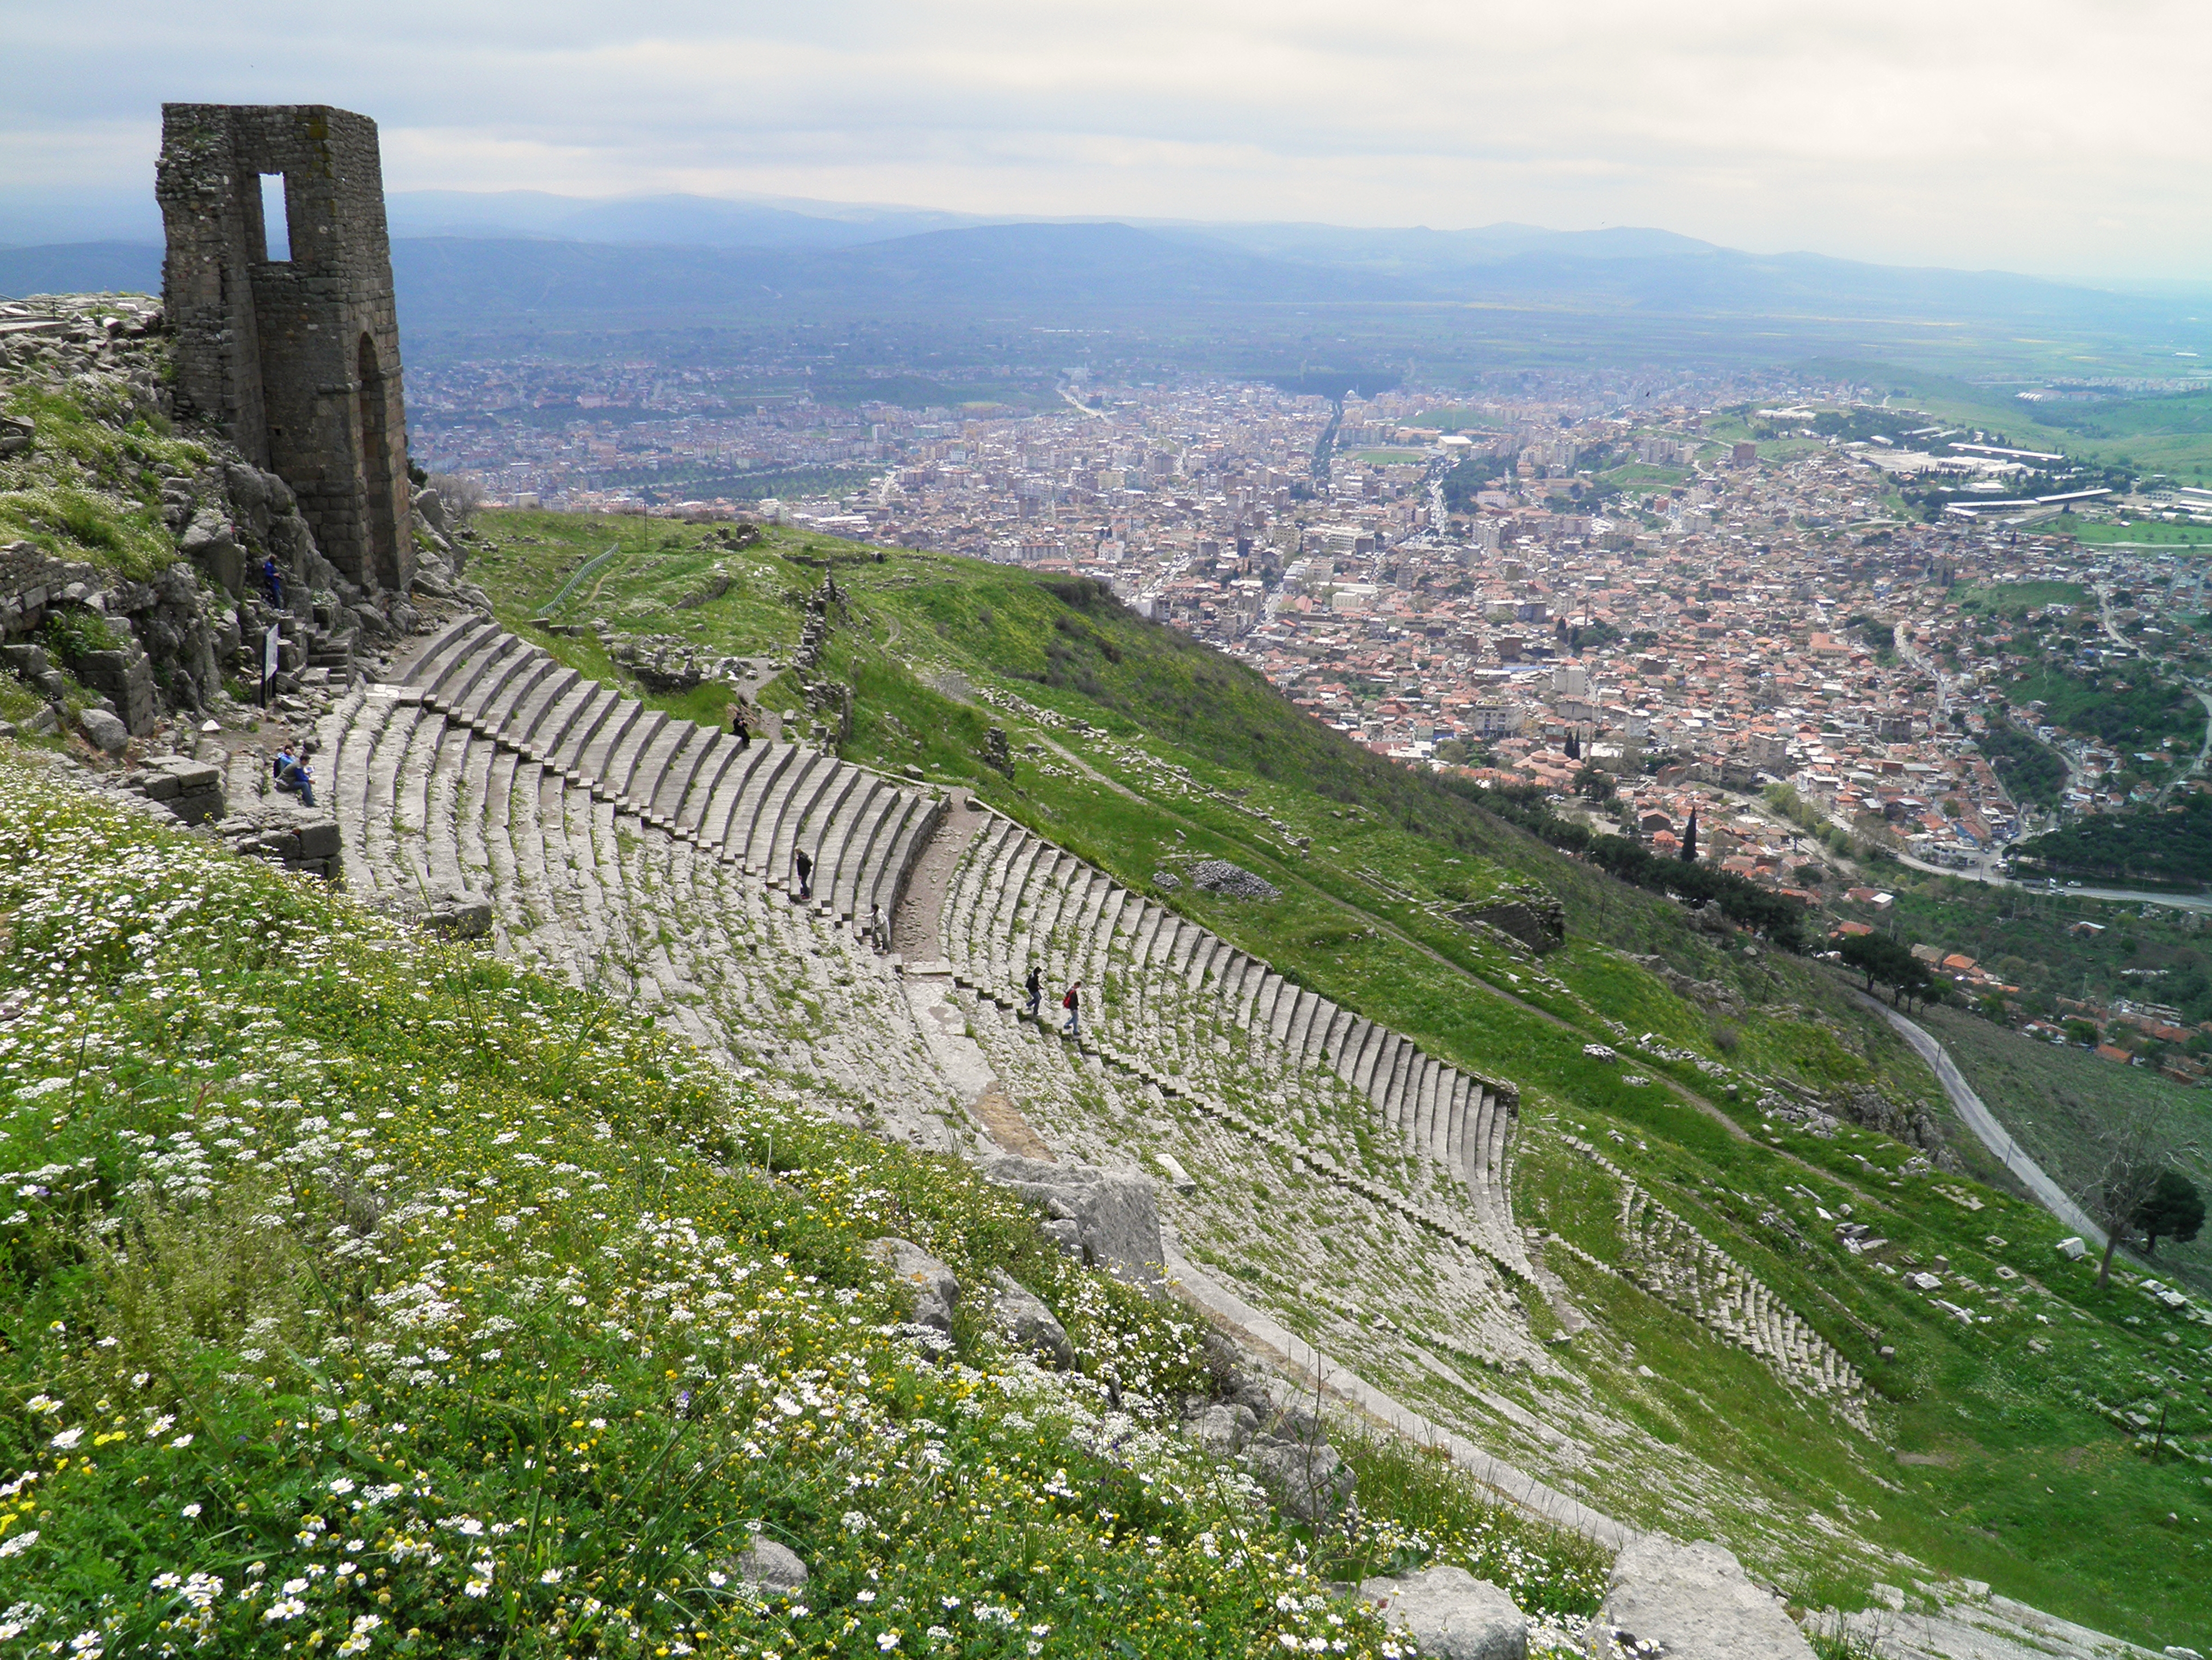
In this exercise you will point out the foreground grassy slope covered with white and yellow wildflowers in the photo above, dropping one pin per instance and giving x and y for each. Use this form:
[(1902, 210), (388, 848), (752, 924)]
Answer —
[(368, 1298)]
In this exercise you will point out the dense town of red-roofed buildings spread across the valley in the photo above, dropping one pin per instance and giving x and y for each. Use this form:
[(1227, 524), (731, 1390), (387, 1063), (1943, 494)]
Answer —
[(1653, 616)]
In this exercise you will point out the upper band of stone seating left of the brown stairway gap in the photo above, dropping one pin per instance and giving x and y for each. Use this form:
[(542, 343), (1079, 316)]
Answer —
[(755, 807)]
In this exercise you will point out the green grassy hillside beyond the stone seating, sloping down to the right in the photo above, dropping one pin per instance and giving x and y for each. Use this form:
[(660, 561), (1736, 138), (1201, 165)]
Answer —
[(1142, 751)]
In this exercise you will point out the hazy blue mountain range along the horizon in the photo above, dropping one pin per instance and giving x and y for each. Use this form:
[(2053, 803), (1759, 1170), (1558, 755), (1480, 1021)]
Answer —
[(488, 260)]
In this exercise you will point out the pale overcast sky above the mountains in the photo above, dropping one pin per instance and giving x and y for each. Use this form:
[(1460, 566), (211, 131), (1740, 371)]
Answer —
[(2045, 136)]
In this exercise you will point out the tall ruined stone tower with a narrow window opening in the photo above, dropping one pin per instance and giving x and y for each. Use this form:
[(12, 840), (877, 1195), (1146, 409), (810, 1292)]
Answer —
[(286, 331)]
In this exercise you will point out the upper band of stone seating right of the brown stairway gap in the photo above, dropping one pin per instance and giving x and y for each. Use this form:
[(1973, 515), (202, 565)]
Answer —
[(1215, 1021)]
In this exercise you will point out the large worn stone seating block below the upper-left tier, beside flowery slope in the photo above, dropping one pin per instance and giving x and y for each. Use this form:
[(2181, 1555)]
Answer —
[(594, 898)]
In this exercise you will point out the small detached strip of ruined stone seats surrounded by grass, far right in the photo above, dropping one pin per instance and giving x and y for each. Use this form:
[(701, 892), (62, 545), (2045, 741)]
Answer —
[(1669, 1258)]
